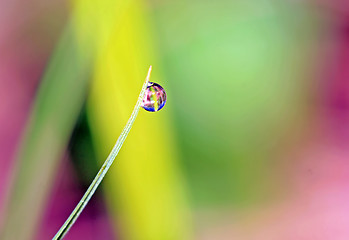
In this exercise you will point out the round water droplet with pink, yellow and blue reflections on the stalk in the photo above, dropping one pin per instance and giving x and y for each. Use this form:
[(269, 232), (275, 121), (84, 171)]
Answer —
[(154, 97)]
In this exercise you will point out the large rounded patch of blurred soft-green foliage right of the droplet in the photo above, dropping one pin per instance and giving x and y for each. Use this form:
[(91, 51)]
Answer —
[(237, 72)]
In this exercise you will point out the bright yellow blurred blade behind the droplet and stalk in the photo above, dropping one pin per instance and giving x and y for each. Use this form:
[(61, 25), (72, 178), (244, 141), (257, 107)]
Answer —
[(144, 181)]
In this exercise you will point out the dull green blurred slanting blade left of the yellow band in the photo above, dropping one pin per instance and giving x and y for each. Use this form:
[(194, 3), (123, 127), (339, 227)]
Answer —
[(56, 108)]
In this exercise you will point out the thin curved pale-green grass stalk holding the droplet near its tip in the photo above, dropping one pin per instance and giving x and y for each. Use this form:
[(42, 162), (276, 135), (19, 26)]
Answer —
[(106, 165)]
